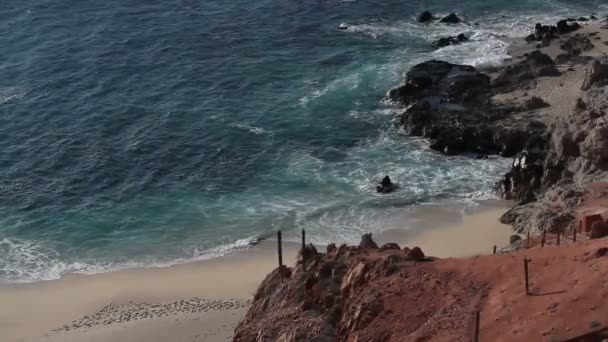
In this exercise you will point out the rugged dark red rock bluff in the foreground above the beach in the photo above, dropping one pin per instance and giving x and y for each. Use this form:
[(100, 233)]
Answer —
[(359, 293)]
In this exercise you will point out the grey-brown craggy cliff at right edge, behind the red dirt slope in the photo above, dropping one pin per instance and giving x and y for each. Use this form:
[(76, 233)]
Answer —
[(550, 183)]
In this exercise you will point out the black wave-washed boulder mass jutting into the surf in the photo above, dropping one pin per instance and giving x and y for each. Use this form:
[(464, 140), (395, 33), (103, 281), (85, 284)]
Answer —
[(452, 106)]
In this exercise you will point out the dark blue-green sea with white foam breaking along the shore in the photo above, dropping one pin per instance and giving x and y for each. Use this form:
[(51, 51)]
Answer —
[(152, 132)]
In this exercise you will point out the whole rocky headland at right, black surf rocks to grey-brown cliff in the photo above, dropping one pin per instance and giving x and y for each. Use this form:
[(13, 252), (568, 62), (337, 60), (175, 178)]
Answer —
[(558, 143)]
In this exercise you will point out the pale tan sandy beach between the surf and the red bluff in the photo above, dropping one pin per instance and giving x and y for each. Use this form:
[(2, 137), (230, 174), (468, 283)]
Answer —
[(201, 301)]
